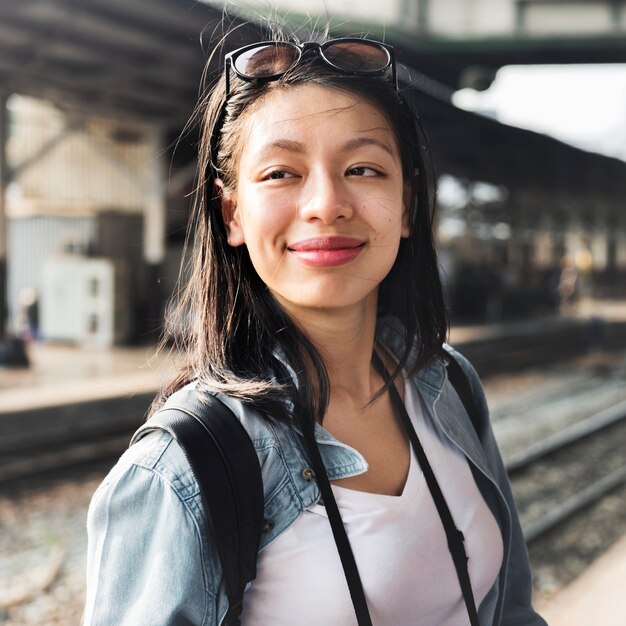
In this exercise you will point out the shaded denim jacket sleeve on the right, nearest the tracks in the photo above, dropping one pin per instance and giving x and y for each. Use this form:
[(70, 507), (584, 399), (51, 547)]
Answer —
[(517, 607)]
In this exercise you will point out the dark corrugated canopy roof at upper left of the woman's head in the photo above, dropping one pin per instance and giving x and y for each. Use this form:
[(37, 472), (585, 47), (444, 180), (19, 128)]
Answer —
[(138, 59)]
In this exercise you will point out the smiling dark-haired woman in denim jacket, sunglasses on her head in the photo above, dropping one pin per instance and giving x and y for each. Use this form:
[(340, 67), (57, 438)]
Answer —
[(314, 309)]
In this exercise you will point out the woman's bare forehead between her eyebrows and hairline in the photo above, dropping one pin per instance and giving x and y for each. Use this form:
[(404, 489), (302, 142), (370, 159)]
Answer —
[(305, 109)]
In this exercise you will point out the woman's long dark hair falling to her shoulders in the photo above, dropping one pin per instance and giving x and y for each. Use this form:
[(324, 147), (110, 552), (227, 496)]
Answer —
[(236, 337)]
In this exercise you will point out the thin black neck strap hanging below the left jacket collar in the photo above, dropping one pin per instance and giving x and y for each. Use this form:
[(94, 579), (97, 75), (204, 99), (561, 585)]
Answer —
[(339, 532)]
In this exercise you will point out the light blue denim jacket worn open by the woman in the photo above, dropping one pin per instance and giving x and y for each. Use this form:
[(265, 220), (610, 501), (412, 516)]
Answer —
[(150, 560)]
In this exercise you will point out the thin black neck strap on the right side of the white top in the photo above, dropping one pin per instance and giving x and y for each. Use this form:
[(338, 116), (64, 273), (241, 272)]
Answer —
[(453, 535)]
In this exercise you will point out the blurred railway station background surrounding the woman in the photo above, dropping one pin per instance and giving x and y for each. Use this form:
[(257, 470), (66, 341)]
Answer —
[(524, 103)]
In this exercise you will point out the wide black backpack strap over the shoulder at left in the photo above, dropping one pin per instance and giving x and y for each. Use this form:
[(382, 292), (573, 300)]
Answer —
[(225, 464)]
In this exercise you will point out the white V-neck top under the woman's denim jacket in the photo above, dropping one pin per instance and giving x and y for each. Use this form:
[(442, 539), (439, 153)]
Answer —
[(399, 545)]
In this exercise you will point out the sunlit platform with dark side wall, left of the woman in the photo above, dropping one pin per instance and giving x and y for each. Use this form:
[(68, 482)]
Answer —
[(80, 395)]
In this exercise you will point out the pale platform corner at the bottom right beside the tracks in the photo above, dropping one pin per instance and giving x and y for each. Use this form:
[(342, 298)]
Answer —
[(596, 597)]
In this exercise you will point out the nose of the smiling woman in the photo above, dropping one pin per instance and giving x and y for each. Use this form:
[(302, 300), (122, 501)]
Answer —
[(325, 199)]
